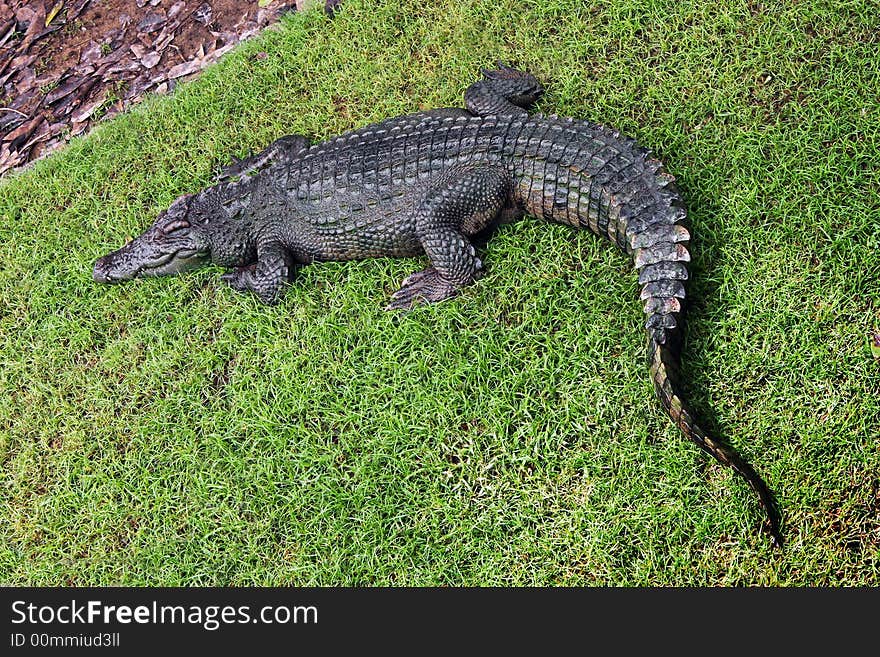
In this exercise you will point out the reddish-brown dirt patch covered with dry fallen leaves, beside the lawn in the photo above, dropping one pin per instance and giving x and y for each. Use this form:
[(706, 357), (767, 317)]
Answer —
[(65, 64)]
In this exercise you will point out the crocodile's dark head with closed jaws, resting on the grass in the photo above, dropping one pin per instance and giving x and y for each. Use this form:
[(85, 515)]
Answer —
[(176, 242)]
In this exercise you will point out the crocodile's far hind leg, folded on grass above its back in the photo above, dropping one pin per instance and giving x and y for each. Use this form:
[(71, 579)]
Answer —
[(504, 91)]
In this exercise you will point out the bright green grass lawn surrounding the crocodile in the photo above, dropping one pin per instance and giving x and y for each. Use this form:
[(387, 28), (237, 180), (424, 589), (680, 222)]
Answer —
[(173, 432)]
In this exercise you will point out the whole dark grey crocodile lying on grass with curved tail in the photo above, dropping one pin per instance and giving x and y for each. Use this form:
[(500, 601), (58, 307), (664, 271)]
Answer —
[(429, 184)]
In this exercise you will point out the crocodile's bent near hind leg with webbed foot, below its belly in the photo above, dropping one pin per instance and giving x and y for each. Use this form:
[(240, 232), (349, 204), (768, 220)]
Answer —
[(466, 201)]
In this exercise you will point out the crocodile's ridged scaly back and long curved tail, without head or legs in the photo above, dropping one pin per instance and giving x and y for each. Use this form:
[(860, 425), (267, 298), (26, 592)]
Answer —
[(564, 170)]
